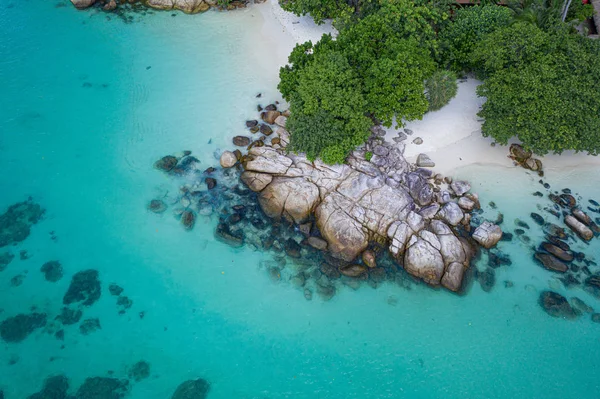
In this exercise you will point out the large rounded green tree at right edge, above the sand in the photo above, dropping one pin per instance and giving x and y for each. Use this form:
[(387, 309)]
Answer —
[(542, 87)]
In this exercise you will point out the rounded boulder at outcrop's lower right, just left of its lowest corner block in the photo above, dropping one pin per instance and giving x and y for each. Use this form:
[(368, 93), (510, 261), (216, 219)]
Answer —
[(423, 260)]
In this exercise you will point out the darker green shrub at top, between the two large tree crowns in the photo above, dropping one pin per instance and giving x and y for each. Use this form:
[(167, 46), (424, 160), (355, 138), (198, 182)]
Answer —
[(469, 26)]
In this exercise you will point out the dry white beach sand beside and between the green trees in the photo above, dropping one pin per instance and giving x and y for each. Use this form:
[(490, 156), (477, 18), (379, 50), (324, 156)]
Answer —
[(451, 136)]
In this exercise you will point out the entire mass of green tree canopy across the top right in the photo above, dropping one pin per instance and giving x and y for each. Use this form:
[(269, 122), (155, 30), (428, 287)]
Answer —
[(541, 79)]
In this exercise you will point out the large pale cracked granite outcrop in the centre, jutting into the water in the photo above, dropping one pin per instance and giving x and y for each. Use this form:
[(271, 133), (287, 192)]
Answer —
[(422, 218)]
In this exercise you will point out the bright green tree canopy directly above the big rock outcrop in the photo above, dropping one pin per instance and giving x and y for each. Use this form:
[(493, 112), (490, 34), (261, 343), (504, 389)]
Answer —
[(374, 70)]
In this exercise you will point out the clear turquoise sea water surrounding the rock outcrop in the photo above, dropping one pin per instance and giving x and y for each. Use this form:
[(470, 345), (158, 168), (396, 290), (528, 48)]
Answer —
[(88, 104)]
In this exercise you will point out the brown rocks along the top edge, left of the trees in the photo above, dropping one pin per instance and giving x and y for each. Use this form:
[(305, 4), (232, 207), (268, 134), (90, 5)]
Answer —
[(187, 6)]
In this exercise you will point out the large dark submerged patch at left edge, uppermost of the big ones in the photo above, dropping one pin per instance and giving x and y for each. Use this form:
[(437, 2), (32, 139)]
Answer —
[(16, 222)]
